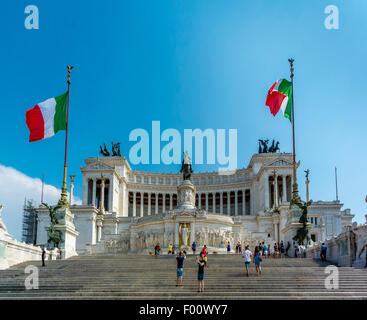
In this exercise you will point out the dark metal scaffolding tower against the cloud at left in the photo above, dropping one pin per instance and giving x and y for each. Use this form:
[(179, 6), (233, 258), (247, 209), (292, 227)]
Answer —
[(29, 222)]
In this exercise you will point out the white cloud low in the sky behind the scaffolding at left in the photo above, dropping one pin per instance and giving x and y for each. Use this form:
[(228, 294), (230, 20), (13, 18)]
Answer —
[(14, 187)]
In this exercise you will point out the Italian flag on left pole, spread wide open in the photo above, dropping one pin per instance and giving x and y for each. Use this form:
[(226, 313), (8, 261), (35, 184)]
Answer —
[(47, 117)]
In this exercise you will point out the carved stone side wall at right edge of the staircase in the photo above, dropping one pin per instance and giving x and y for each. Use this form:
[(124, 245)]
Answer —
[(347, 249)]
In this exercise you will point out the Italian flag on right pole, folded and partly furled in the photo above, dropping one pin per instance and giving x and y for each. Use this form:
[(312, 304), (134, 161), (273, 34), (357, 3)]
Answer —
[(280, 97)]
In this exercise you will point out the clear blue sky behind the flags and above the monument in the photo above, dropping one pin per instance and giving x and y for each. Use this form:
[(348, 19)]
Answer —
[(189, 64)]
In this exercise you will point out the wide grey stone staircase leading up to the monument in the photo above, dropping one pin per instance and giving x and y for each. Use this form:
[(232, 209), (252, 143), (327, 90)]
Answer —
[(144, 277)]
